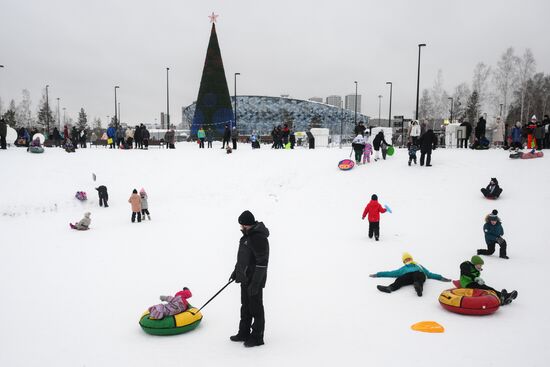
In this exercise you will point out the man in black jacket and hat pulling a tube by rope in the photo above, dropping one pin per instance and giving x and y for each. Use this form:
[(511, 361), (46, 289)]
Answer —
[(251, 272)]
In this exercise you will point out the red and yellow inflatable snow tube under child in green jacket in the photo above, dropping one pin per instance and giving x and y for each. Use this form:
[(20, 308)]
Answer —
[(467, 301)]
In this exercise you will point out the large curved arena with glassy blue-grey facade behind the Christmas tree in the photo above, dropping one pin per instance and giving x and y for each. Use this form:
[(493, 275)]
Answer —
[(261, 113)]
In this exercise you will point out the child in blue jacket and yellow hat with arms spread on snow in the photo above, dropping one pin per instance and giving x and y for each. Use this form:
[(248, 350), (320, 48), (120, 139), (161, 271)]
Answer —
[(410, 273)]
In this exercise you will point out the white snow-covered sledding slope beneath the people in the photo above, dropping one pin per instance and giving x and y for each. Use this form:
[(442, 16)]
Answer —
[(74, 298)]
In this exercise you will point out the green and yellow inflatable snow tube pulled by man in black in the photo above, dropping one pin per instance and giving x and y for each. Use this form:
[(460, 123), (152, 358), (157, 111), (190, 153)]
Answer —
[(171, 325)]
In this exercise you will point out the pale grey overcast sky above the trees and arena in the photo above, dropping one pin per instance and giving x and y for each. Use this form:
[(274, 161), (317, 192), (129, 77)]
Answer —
[(82, 49)]
